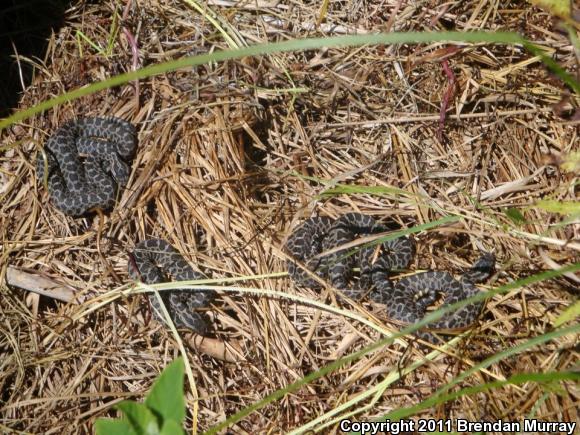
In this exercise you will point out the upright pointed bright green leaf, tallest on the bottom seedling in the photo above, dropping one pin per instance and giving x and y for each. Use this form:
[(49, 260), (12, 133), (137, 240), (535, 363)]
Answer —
[(166, 396)]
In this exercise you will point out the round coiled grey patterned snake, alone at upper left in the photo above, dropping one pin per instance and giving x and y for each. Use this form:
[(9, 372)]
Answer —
[(87, 163)]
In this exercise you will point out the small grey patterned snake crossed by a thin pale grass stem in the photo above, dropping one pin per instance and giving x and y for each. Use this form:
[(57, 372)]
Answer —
[(155, 261)]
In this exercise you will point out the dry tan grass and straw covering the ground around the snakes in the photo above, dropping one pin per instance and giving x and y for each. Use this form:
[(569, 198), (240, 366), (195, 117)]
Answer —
[(223, 151)]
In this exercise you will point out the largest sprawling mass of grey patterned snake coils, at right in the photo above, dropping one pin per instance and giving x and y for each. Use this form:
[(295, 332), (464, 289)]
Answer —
[(407, 300)]
